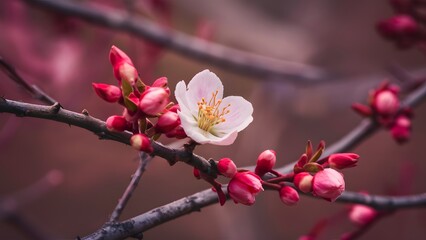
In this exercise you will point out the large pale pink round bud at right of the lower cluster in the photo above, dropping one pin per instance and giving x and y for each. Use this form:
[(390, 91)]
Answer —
[(328, 184)]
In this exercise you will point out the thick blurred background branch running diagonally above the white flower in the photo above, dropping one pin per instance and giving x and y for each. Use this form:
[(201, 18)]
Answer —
[(225, 57)]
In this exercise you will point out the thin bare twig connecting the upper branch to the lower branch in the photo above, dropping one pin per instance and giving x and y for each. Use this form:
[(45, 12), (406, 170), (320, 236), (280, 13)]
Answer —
[(144, 159)]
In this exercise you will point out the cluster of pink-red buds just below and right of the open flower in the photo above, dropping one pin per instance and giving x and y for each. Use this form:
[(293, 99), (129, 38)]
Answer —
[(312, 174)]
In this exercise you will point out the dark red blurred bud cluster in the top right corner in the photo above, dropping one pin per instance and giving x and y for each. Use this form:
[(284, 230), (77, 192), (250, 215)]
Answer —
[(405, 28)]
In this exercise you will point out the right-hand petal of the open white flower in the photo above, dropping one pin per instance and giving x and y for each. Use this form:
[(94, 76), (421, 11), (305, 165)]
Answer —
[(239, 116)]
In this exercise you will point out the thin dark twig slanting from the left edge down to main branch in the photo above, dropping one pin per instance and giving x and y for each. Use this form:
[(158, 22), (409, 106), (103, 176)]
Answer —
[(35, 91)]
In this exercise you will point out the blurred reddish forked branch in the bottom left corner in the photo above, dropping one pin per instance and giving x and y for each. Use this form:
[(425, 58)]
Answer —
[(10, 205)]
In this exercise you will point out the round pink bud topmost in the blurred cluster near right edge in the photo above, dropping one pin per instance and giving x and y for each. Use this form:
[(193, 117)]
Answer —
[(386, 103)]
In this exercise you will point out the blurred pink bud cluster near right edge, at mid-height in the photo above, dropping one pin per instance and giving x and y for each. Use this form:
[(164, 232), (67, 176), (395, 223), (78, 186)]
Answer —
[(385, 108)]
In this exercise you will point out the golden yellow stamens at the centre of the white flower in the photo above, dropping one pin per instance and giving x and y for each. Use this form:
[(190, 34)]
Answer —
[(210, 113)]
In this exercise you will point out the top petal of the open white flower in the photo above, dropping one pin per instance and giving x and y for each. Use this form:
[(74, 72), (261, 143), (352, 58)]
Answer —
[(203, 85)]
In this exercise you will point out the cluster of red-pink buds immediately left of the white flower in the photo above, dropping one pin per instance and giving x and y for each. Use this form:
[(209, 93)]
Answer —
[(148, 112)]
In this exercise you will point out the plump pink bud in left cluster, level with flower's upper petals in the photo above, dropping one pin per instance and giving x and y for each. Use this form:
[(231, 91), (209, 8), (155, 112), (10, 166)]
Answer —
[(153, 101)]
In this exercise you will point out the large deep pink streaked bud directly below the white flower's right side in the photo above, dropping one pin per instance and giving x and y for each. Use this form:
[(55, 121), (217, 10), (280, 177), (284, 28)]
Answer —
[(243, 187)]
